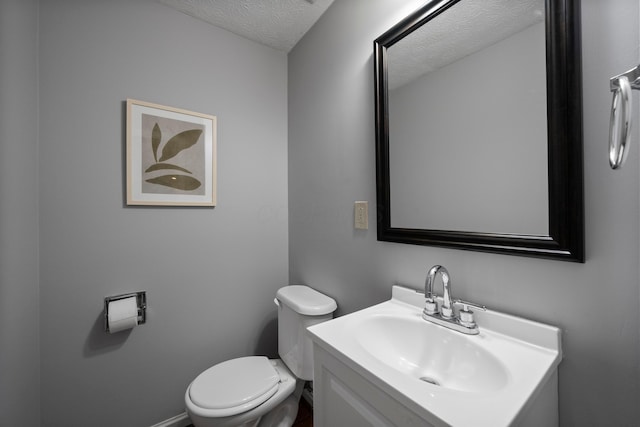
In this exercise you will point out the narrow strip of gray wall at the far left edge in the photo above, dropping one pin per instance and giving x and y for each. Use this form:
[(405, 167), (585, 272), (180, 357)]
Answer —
[(19, 339)]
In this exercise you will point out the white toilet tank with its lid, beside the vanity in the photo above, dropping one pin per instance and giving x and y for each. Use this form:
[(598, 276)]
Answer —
[(298, 308)]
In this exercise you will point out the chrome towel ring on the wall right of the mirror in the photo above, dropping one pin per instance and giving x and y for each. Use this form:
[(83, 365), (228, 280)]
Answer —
[(620, 120)]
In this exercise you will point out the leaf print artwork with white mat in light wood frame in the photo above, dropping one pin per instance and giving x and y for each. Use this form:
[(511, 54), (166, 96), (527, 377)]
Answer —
[(171, 156)]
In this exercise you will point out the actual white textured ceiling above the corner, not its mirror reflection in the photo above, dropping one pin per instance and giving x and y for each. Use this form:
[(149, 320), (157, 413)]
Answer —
[(276, 23)]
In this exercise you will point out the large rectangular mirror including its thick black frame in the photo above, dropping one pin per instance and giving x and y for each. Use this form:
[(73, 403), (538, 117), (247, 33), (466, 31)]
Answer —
[(432, 189)]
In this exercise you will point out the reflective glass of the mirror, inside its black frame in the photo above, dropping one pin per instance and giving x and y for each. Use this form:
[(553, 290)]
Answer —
[(467, 113)]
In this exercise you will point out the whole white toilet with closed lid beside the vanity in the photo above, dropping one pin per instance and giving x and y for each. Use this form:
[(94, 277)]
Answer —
[(255, 391)]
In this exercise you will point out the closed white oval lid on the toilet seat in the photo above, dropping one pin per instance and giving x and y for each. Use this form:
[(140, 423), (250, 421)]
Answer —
[(236, 385)]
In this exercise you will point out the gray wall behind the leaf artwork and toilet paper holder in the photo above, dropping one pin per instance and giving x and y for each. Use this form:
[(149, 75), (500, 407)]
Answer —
[(210, 274)]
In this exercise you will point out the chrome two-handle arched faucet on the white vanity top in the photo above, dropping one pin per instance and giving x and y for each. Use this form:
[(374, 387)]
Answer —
[(445, 315)]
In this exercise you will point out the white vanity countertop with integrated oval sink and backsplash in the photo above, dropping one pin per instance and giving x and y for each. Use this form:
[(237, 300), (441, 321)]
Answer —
[(449, 378)]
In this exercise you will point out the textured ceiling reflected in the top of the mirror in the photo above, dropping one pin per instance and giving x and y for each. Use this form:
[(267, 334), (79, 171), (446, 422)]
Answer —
[(467, 27)]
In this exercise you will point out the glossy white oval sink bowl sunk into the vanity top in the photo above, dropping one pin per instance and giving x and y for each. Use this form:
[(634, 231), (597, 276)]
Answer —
[(429, 353)]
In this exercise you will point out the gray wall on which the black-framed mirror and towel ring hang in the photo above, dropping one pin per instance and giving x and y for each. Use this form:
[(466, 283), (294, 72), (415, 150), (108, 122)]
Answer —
[(331, 164)]
